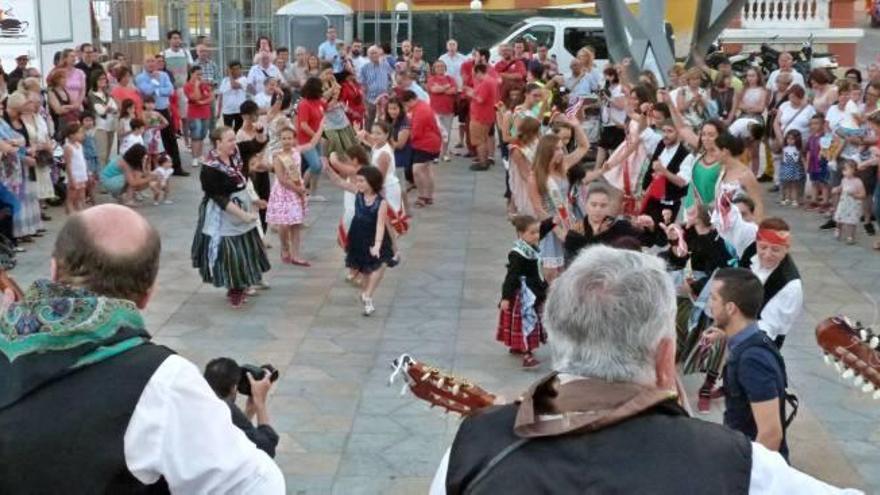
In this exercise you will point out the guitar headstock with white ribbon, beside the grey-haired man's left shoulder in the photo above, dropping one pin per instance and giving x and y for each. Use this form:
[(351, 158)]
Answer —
[(439, 388)]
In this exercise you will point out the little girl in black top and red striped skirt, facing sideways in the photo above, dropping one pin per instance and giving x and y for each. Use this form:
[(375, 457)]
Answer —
[(523, 291)]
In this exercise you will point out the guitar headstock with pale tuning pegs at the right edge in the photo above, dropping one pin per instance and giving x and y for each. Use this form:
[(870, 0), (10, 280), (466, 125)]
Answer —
[(853, 350)]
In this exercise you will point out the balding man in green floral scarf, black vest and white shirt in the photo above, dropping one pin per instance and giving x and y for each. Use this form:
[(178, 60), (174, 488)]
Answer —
[(88, 403)]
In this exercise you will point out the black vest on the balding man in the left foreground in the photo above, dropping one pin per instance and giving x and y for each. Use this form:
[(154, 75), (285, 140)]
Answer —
[(67, 436)]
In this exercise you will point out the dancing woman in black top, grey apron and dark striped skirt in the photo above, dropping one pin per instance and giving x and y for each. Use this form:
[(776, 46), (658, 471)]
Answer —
[(227, 248)]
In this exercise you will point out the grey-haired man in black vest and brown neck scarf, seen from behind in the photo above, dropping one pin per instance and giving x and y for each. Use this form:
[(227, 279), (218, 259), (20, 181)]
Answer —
[(612, 405)]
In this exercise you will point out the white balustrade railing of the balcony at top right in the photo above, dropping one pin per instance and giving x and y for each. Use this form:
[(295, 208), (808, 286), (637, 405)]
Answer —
[(786, 14)]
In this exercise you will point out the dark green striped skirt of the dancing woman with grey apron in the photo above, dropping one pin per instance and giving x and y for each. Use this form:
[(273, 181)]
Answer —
[(240, 261)]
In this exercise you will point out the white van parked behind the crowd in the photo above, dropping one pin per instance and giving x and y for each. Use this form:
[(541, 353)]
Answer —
[(564, 36)]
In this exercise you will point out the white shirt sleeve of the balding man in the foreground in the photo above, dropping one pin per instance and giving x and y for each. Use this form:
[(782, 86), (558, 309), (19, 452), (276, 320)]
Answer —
[(182, 431)]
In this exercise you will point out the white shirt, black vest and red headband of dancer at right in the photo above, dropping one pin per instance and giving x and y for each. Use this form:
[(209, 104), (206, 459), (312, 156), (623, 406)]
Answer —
[(783, 290)]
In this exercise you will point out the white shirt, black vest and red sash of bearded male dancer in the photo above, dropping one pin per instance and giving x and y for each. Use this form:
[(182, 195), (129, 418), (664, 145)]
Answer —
[(658, 193)]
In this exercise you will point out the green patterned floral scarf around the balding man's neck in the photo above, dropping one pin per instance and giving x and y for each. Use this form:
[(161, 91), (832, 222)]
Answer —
[(57, 329)]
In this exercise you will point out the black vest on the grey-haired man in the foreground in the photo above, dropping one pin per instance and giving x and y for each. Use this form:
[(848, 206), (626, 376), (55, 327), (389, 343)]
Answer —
[(661, 451)]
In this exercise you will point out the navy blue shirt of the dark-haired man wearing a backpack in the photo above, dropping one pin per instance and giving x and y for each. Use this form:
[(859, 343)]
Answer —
[(752, 374)]
